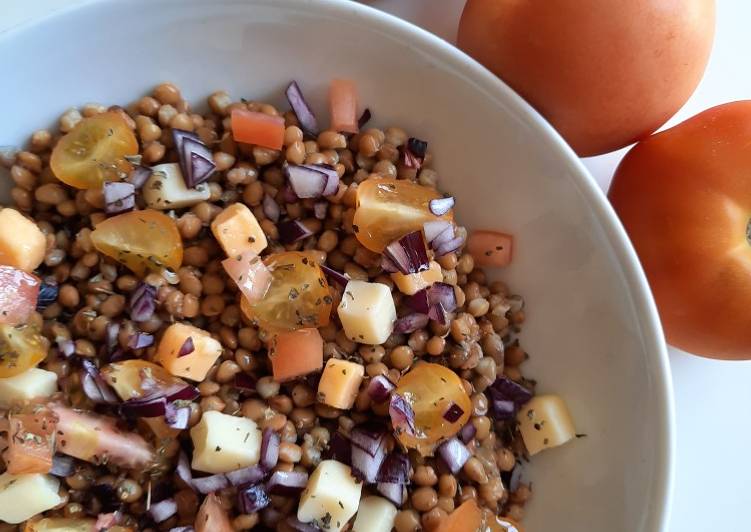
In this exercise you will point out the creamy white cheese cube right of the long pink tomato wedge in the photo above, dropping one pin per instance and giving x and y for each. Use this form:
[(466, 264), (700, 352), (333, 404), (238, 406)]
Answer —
[(223, 443)]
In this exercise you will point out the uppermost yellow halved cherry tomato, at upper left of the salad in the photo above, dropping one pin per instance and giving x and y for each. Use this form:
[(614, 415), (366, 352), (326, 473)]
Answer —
[(94, 151)]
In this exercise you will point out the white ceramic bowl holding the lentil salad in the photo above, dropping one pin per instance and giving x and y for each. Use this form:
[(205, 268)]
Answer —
[(593, 333)]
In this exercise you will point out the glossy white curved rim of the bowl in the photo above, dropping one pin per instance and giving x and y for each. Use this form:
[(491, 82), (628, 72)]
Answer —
[(658, 513)]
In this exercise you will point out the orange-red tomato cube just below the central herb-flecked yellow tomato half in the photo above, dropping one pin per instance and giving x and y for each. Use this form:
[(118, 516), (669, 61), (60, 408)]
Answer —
[(297, 353)]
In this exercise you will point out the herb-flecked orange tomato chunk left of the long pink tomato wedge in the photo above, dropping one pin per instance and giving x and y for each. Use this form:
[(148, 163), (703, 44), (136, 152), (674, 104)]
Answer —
[(31, 442)]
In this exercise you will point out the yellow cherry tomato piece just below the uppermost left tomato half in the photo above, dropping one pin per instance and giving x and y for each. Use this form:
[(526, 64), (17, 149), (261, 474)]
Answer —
[(141, 240)]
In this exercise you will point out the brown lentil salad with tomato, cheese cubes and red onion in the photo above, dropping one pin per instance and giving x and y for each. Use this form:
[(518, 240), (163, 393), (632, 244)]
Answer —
[(241, 271)]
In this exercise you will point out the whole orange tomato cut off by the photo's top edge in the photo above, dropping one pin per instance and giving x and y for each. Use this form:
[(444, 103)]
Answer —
[(605, 73)]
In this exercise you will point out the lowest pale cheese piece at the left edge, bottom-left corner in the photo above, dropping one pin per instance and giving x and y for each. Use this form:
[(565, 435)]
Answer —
[(24, 496)]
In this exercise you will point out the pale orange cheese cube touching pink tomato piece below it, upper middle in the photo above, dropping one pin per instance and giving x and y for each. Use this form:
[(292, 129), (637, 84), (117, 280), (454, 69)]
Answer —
[(237, 230)]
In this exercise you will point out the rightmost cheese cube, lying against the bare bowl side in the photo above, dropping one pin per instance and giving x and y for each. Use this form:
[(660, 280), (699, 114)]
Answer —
[(545, 422)]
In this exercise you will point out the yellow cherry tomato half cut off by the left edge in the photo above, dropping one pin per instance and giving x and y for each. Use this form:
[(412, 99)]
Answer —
[(21, 348)]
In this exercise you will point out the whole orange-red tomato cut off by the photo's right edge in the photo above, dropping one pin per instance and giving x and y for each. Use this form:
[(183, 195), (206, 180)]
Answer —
[(684, 196)]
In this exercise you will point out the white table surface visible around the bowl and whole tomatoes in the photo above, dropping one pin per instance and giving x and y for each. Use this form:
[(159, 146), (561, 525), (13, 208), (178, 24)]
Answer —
[(713, 399)]
